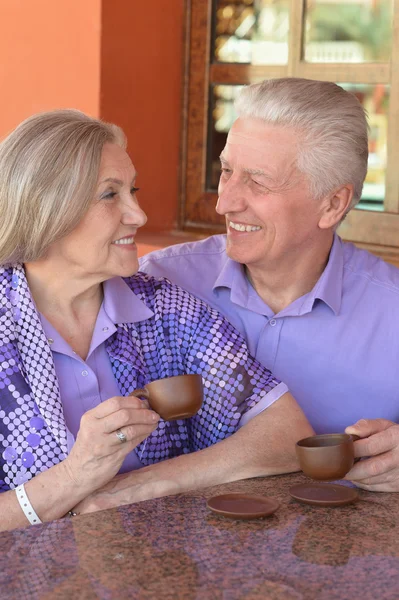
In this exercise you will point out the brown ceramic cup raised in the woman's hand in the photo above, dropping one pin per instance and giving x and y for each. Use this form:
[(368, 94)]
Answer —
[(178, 397)]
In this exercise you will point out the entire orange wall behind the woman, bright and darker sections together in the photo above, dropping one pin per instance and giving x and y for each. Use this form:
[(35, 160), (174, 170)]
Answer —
[(118, 59)]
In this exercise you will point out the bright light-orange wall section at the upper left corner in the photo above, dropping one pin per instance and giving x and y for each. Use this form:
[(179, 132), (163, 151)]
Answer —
[(49, 57)]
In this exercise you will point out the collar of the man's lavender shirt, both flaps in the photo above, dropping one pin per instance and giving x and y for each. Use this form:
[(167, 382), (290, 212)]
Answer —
[(328, 288)]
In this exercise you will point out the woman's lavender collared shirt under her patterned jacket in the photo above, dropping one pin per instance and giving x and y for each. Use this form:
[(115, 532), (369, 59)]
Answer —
[(86, 383)]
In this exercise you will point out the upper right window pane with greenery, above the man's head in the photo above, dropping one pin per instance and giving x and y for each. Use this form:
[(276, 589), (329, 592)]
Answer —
[(348, 31)]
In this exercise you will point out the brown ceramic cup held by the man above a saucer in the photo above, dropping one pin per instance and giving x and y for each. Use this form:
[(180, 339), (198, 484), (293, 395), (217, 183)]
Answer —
[(326, 457)]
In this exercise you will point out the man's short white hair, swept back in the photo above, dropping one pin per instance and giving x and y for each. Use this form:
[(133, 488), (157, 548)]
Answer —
[(331, 123)]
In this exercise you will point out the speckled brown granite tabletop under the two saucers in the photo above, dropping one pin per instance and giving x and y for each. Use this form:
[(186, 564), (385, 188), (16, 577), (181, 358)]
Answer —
[(174, 548)]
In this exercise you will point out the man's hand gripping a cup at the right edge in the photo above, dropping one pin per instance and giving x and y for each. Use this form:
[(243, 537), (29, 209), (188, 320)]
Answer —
[(379, 448)]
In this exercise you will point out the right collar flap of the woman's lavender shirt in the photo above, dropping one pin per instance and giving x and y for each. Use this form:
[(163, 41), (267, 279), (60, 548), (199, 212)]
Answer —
[(121, 304)]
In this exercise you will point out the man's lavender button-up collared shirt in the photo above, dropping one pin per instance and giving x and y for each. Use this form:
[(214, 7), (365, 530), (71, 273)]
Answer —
[(337, 347)]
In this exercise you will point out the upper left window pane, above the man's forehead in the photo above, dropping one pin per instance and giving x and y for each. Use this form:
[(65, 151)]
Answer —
[(252, 31)]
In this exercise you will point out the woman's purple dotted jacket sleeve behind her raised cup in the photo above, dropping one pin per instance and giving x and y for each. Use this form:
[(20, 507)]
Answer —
[(190, 337)]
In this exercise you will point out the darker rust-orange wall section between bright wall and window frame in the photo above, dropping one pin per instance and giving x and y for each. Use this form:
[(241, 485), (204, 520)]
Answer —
[(141, 78)]
